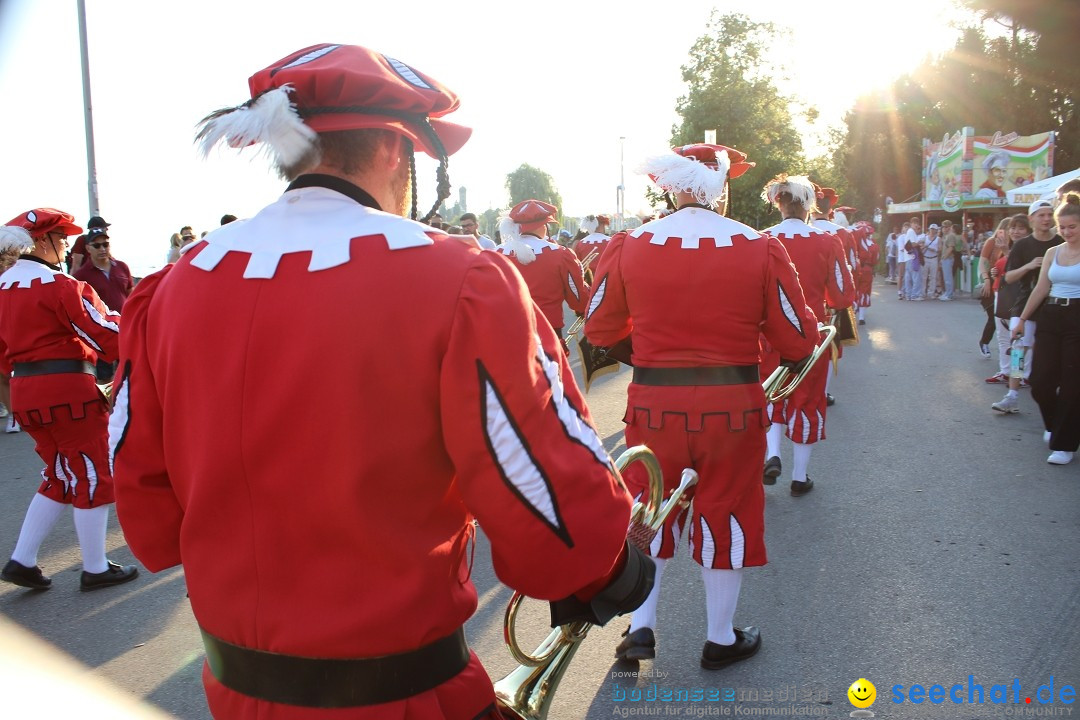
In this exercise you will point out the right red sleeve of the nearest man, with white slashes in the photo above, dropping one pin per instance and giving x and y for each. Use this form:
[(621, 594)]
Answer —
[(530, 464)]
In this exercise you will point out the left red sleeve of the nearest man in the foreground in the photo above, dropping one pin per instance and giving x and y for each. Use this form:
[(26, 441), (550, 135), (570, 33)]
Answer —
[(147, 507)]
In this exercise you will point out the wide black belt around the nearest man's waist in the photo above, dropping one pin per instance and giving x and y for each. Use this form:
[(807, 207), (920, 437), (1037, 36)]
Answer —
[(335, 683)]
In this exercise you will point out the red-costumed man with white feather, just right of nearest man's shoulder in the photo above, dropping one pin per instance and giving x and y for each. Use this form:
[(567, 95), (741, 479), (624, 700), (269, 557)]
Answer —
[(551, 273)]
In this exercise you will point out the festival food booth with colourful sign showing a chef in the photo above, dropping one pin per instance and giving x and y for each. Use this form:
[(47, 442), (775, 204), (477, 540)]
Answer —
[(973, 181)]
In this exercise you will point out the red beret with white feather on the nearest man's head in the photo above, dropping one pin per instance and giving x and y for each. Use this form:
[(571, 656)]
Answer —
[(331, 88)]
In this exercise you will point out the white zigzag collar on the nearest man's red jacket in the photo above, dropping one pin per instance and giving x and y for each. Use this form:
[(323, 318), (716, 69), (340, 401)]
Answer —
[(316, 221)]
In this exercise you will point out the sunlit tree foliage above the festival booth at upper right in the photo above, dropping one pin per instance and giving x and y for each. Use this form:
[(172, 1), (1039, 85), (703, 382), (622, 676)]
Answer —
[(991, 84)]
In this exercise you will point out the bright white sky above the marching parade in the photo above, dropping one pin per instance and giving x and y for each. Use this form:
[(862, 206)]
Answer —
[(556, 86)]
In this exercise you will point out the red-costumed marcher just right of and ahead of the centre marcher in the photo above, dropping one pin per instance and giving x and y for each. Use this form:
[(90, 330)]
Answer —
[(818, 256)]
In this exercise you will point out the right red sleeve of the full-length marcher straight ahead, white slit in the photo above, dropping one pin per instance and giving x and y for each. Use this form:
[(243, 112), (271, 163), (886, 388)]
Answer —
[(790, 327)]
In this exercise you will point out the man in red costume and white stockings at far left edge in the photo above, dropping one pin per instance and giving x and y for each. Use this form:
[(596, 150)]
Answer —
[(53, 328)]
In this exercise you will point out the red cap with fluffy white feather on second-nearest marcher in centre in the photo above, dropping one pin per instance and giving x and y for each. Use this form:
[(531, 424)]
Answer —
[(701, 170)]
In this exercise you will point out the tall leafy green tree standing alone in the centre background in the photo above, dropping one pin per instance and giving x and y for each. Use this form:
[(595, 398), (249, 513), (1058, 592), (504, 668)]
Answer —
[(731, 90)]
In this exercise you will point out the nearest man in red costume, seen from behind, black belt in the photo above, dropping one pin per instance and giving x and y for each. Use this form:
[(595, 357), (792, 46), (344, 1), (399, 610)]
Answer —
[(326, 535)]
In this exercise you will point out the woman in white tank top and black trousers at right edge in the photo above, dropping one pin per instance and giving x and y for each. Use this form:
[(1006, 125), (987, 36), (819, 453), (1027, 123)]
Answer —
[(1056, 374)]
